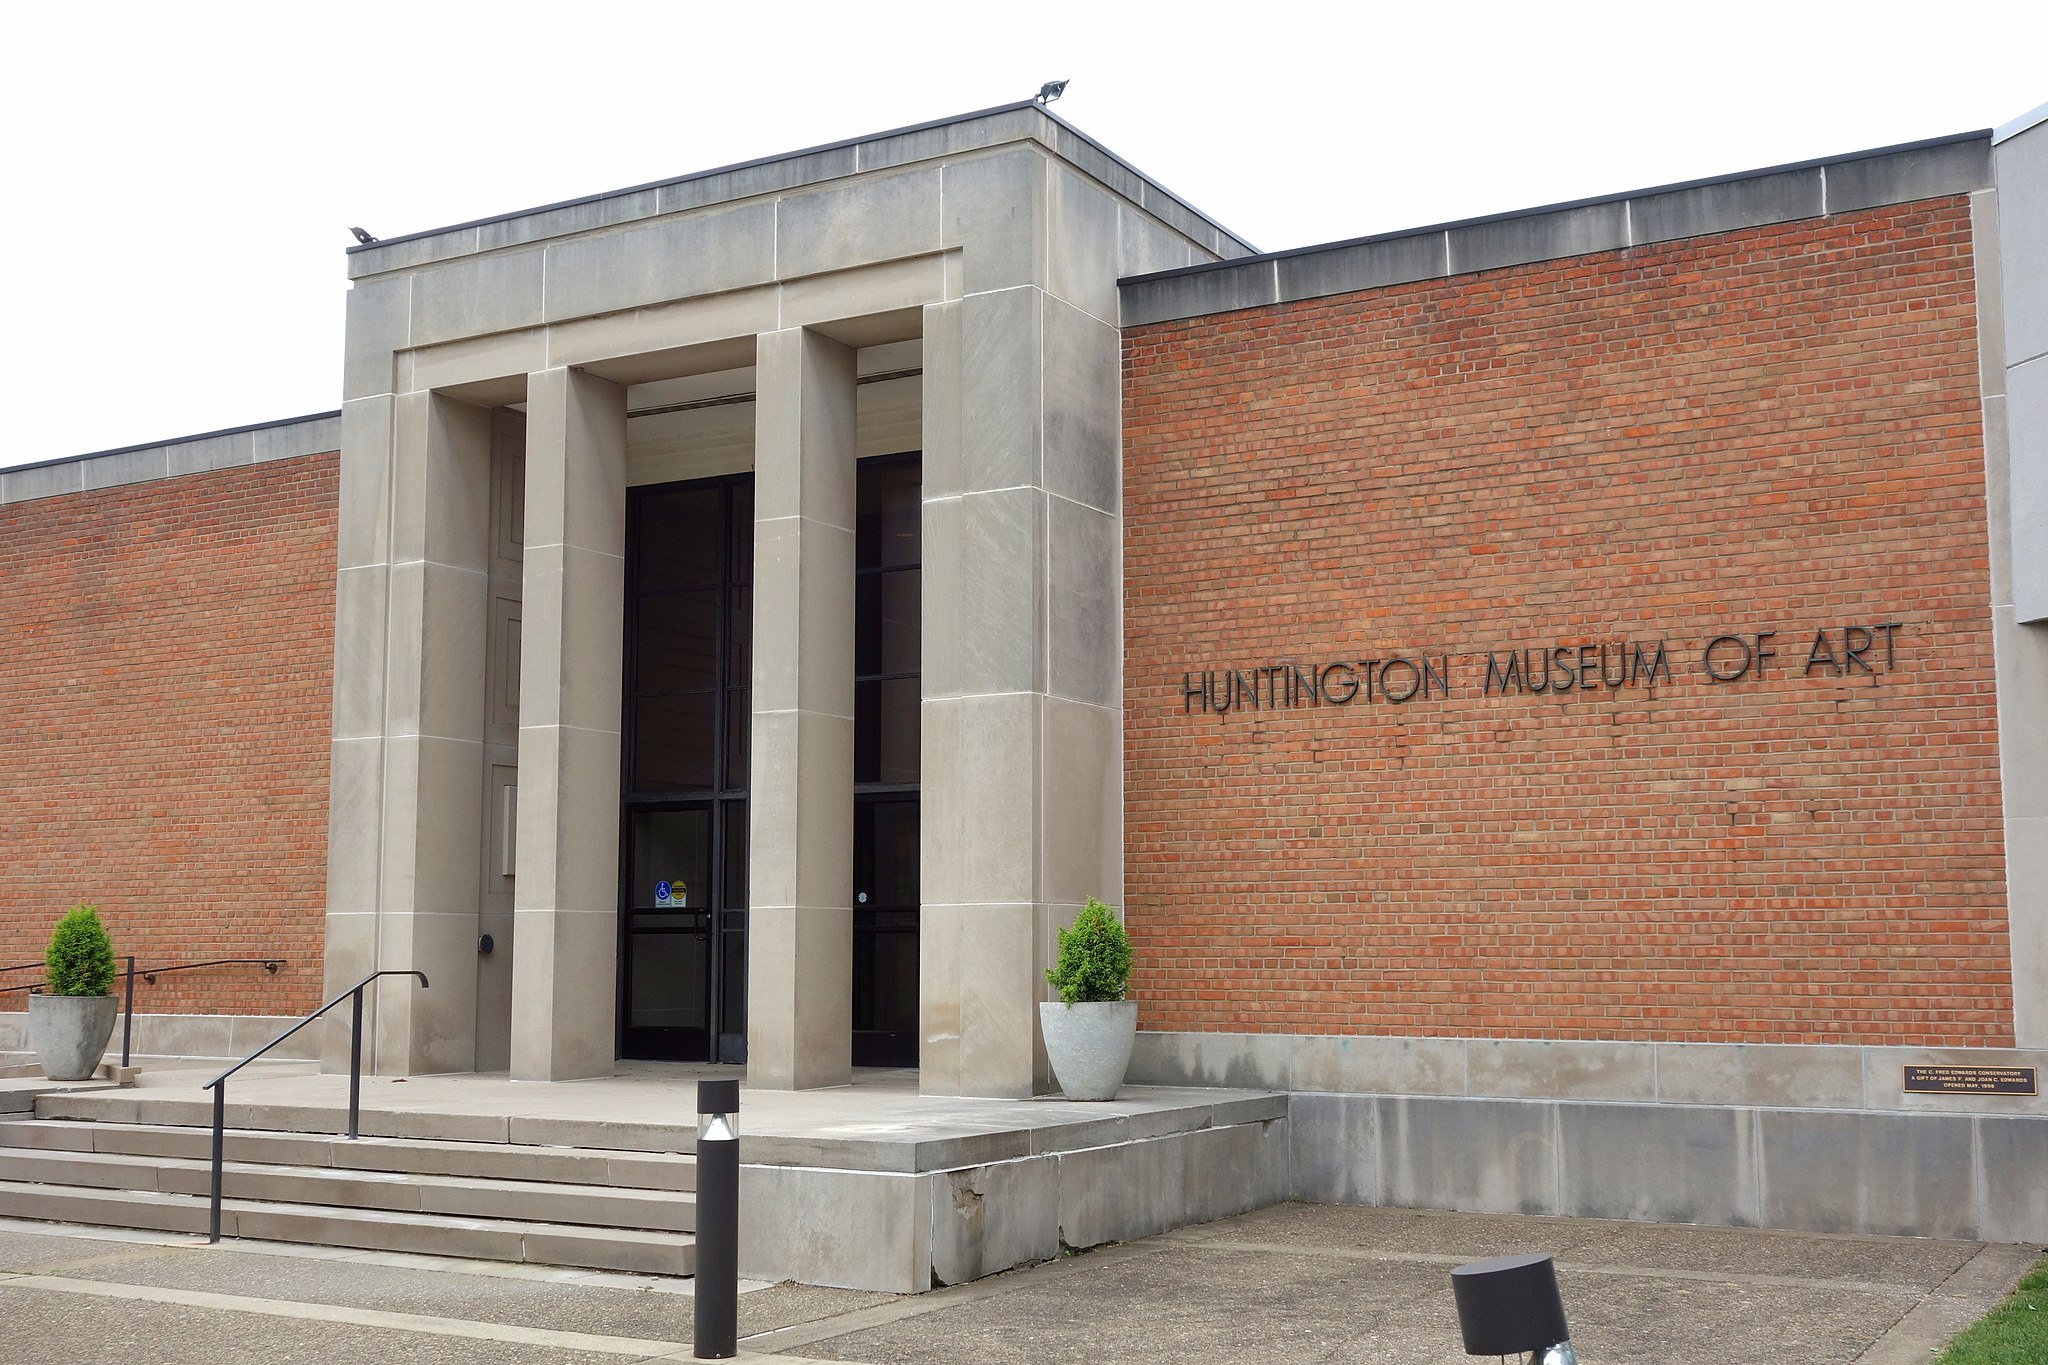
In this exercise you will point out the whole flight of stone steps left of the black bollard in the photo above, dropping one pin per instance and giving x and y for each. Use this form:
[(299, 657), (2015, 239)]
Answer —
[(591, 1208)]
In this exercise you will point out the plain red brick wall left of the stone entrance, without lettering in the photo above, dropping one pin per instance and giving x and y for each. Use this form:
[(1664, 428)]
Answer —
[(167, 658)]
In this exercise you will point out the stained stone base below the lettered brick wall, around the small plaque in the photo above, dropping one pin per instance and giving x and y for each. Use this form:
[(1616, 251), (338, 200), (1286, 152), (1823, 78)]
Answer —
[(1752, 1137)]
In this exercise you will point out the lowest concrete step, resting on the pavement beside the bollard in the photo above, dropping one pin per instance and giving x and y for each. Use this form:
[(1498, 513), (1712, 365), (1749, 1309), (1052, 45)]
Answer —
[(435, 1235)]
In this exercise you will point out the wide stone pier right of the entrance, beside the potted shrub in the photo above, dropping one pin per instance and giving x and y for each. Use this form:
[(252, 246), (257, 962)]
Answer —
[(1023, 670)]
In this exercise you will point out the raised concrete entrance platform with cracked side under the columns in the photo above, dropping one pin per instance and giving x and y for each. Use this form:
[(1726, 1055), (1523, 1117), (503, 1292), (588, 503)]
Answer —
[(865, 1188)]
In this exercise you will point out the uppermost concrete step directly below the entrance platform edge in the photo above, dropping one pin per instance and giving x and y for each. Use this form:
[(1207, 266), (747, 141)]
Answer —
[(658, 1172)]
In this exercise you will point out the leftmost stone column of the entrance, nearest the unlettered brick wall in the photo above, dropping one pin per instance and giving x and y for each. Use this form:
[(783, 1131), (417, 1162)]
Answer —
[(409, 725)]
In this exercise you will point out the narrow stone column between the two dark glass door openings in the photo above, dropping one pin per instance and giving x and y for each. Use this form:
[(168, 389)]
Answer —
[(802, 785)]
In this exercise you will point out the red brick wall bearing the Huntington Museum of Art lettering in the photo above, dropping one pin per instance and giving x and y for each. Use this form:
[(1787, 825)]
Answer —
[(1764, 431)]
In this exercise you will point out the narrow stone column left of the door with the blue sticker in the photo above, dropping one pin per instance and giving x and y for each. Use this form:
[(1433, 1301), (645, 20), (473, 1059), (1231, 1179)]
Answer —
[(566, 887)]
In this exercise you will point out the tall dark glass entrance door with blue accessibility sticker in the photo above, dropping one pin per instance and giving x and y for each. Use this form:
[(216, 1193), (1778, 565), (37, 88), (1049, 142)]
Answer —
[(685, 768)]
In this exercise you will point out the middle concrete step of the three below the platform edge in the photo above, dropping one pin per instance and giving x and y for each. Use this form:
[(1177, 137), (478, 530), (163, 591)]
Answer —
[(581, 1206)]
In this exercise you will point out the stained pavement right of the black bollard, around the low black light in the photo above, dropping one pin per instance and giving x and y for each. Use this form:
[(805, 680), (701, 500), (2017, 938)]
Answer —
[(1355, 1284)]
